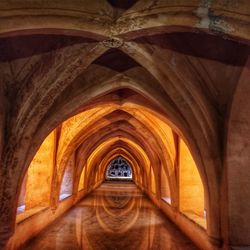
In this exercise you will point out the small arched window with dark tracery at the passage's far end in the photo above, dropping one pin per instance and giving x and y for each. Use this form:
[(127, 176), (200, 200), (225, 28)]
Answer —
[(119, 169)]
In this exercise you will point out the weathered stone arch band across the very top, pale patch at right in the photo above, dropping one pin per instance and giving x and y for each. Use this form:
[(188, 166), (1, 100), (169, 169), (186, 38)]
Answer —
[(140, 18)]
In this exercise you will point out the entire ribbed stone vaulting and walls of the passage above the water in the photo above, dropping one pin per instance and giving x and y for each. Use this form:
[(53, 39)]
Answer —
[(156, 82)]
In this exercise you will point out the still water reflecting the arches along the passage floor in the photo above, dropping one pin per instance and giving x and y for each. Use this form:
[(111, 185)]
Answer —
[(115, 216)]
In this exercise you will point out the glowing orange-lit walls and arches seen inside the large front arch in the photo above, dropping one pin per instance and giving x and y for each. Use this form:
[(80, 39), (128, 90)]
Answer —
[(154, 174)]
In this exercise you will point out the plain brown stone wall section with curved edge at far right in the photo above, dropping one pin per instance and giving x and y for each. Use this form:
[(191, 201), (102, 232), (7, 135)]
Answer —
[(237, 164)]
